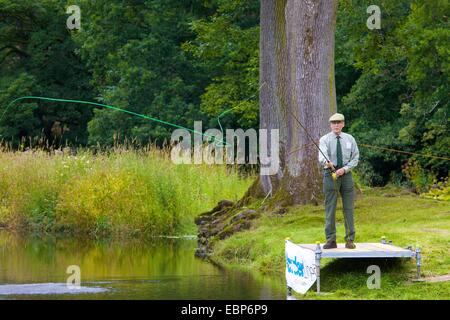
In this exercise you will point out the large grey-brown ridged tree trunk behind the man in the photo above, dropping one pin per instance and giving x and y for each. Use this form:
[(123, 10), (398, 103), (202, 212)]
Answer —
[(297, 77)]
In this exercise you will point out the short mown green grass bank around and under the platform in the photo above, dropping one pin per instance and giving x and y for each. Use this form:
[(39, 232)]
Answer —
[(402, 217)]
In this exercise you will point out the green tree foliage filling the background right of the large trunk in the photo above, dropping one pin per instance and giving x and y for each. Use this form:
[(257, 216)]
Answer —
[(400, 99)]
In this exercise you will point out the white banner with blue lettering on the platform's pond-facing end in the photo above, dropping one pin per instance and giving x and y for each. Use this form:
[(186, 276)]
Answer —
[(300, 267)]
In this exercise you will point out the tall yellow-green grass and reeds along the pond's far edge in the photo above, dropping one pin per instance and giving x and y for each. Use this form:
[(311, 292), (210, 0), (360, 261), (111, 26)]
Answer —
[(122, 192)]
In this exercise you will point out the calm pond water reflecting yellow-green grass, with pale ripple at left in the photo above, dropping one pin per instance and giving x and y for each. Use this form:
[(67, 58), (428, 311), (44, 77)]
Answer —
[(159, 268)]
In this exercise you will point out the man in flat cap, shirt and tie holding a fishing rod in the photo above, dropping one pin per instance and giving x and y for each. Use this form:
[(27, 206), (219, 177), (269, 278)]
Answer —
[(342, 151)]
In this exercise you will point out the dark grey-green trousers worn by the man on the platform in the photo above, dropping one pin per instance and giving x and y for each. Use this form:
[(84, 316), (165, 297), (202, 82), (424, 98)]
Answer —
[(345, 186)]
